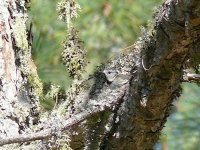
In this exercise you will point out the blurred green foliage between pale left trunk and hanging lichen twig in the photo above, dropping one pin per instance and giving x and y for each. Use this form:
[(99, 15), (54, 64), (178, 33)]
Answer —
[(48, 32)]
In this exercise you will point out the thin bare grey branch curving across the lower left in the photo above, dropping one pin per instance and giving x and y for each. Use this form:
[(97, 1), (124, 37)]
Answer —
[(59, 127)]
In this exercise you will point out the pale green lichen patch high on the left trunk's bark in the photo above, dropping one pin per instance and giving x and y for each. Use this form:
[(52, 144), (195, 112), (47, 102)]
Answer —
[(20, 34)]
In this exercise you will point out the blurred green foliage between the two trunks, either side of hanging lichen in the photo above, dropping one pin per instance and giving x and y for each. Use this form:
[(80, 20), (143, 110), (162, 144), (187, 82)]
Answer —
[(105, 26)]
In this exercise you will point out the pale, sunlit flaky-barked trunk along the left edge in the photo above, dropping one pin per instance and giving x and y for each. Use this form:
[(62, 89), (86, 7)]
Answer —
[(18, 97)]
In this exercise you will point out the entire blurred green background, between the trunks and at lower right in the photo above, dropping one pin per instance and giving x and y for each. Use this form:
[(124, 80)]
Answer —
[(106, 27)]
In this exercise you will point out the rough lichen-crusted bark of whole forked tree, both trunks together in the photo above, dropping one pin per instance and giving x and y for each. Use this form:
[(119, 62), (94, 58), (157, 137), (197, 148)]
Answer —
[(127, 101)]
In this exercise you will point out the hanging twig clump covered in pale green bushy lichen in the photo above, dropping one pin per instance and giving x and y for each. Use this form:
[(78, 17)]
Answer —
[(74, 54)]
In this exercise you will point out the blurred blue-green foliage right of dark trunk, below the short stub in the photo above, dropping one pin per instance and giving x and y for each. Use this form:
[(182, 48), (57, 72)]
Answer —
[(182, 131)]
